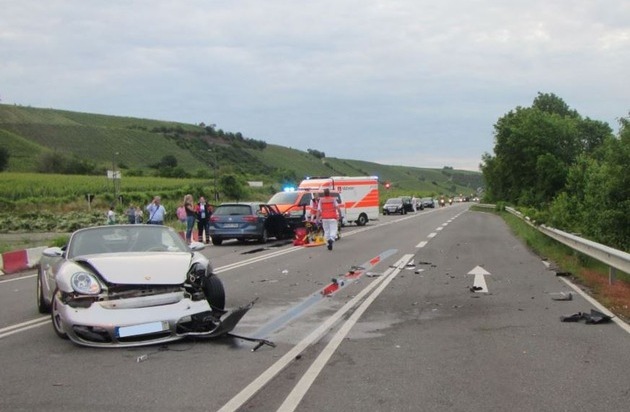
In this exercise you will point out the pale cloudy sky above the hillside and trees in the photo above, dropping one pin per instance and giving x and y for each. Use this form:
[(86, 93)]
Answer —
[(397, 82)]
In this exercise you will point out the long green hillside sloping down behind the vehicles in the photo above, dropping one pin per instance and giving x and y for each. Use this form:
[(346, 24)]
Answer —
[(137, 144)]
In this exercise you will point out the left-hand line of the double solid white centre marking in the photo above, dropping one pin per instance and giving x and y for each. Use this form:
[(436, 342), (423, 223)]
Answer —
[(257, 384)]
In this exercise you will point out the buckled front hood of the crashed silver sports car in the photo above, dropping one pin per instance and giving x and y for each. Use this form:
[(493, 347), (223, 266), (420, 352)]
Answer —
[(143, 268)]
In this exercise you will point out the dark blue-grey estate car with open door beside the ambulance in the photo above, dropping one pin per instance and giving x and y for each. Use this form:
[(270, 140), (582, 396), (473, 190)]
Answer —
[(248, 221)]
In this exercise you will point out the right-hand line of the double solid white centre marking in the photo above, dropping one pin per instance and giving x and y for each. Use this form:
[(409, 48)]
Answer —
[(297, 394)]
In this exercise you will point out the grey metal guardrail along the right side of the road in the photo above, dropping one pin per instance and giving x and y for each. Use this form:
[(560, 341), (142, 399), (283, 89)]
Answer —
[(615, 259)]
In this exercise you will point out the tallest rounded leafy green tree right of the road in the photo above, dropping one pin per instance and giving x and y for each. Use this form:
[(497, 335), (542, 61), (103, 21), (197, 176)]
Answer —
[(534, 149)]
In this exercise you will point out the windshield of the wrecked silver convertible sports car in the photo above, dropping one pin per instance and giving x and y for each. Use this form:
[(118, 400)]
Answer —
[(125, 238)]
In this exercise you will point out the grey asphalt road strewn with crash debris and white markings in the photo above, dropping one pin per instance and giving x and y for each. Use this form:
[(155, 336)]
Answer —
[(408, 335)]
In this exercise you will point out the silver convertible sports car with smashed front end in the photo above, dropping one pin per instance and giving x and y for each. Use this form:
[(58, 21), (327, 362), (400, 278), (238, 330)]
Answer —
[(131, 285)]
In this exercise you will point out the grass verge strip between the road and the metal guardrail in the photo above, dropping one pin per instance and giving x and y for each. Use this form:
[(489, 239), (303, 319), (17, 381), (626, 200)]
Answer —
[(591, 275)]
